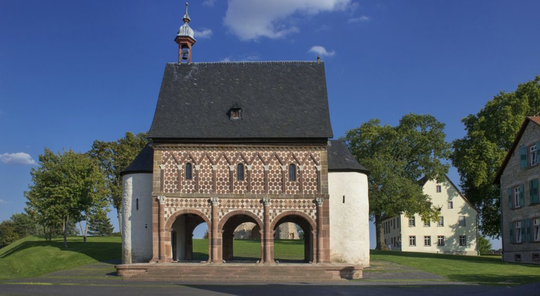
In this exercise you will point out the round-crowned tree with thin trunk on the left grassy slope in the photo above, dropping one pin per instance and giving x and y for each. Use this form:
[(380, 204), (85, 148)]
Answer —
[(65, 186)]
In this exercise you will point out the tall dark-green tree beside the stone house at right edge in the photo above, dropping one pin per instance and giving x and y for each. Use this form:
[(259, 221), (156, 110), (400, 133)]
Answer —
[(480, 153)]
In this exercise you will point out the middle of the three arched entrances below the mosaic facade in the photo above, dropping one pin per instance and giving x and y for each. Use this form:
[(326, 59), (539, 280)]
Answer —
[(227, 226)]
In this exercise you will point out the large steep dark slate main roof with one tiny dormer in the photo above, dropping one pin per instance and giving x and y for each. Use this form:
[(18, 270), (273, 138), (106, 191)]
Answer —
[(278, 100)]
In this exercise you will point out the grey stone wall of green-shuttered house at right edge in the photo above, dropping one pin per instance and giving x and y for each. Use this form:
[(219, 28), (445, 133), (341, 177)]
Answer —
[(514, 176)]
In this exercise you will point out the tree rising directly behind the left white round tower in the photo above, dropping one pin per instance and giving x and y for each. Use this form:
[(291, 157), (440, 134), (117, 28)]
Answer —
[(113, 158)]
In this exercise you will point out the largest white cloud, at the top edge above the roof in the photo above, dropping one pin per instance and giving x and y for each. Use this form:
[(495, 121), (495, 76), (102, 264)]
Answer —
[(252, 19)]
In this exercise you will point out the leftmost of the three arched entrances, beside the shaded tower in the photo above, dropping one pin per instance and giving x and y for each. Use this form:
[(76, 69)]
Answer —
[(181, 225)]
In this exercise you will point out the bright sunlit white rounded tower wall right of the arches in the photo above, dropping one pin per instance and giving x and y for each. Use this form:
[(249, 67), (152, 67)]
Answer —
[(349, 217)]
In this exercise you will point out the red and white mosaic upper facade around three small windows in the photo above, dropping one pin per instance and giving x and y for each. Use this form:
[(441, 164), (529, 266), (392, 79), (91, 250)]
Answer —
[(211, 171)]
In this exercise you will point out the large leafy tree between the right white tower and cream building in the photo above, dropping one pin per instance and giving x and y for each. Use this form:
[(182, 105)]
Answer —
[(400, 159)]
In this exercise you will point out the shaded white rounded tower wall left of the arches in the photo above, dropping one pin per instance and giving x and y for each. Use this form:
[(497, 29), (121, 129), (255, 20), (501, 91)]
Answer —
[(137, 222)]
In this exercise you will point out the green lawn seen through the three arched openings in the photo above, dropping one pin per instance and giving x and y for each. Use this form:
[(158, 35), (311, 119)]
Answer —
[(251, 249)]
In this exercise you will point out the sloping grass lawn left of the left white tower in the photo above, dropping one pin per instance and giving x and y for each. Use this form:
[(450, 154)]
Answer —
[(32, 256)]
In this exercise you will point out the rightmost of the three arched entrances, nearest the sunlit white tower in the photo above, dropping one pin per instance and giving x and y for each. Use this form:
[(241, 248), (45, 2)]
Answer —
[(284, 248)]
